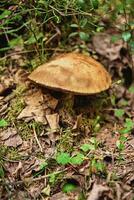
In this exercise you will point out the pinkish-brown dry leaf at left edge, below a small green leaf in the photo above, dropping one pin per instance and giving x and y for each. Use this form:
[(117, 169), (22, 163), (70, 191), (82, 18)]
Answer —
[(10, 137)]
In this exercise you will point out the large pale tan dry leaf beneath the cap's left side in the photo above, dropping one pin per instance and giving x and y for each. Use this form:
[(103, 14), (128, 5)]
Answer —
[(35, 108)]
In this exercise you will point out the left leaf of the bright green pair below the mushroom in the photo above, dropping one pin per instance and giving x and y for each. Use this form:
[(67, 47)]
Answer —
[(63, 158)]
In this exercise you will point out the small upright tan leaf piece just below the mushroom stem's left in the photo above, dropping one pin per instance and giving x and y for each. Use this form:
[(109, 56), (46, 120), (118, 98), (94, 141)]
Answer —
[(53, 121)]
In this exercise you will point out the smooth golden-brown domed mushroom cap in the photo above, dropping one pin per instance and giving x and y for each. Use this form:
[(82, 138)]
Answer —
[(73, 72)]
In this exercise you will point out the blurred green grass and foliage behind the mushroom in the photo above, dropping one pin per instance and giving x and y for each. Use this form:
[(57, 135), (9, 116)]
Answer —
[(39, 26)]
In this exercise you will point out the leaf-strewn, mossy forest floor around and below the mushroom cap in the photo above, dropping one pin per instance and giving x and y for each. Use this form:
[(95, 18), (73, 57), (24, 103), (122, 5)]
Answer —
[(51, 150)]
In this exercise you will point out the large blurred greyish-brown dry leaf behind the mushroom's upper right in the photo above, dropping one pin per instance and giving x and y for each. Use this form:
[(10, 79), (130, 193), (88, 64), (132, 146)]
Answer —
[(103, 45)]
